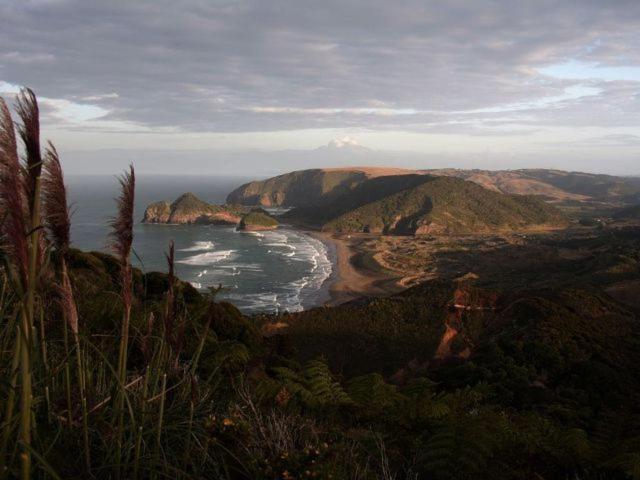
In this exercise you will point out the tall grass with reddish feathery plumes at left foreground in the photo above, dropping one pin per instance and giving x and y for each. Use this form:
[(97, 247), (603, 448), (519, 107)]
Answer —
[(85, 391)]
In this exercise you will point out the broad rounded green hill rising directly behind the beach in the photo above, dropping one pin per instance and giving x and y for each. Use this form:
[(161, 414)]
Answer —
[(441, 205)]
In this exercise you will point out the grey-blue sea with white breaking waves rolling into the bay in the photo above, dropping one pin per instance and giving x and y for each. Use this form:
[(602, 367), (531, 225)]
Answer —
[(261, 272)]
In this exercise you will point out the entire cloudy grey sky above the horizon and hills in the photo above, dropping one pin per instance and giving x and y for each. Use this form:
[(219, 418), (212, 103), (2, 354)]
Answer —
[(265, 86)]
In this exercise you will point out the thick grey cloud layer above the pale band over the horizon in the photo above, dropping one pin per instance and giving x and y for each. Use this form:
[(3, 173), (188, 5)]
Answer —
[(265, 65)]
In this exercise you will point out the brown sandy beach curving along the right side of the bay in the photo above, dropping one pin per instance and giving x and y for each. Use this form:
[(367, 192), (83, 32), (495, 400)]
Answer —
[(349, 281)]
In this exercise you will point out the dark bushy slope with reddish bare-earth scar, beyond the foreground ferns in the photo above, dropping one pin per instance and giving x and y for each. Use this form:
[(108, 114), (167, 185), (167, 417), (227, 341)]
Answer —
[(569, 347)]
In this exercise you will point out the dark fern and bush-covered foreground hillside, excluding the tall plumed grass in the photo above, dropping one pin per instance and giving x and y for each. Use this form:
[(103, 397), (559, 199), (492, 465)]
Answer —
[(552, 374)]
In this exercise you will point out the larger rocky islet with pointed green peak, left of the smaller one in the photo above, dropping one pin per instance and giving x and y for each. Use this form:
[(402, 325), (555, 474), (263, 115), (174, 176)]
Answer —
[(190, 209)]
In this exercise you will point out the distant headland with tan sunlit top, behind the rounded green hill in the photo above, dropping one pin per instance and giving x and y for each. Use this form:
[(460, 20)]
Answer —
[(305, 187)]
